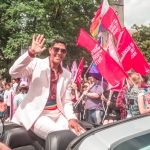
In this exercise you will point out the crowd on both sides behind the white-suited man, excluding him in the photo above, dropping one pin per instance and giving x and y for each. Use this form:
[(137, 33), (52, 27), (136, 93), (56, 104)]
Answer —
[(93, 101)]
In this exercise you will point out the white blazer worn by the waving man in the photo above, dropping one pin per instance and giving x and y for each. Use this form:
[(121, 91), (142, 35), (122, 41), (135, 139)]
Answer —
[(38, 72)]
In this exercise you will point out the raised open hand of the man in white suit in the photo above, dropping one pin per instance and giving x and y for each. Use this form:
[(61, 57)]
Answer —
[(37, 44)]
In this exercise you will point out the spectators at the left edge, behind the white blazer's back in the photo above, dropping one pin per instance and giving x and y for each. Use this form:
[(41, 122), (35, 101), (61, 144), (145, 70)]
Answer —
[(11, 95)]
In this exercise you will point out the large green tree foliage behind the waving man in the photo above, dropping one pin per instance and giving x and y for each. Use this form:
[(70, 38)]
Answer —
[(20, 19)]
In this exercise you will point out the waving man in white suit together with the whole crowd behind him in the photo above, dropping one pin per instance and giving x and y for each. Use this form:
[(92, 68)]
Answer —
[(41, 90)]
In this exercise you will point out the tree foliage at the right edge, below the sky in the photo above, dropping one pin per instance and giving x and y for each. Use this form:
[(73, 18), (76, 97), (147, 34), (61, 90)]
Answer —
[(142, 39)]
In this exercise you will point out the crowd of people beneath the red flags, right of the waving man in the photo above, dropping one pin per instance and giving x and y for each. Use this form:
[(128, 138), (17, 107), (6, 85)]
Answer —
[(102, 105)]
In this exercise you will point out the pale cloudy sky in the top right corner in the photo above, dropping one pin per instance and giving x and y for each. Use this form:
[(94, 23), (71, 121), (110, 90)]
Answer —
[(136, 12)]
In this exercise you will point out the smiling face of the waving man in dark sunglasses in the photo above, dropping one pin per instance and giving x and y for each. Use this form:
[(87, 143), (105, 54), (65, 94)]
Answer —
[(57, 53)]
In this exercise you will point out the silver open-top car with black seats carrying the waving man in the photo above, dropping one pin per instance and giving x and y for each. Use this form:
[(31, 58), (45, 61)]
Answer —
[(128, 134)]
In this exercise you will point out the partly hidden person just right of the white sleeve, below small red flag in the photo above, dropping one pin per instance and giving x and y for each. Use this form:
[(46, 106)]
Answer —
[(75, 94)]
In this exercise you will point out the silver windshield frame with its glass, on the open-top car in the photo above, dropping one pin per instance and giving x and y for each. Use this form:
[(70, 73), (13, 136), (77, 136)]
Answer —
[(128, 134)]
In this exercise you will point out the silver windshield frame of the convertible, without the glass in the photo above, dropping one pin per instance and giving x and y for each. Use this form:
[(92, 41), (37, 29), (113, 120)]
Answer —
[(109, 136)]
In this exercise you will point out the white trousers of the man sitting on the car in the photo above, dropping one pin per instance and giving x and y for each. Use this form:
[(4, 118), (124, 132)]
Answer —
[(49, 121)]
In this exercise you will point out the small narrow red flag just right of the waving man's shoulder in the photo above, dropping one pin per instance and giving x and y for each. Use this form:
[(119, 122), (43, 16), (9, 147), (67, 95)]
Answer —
[(78, 74)]
